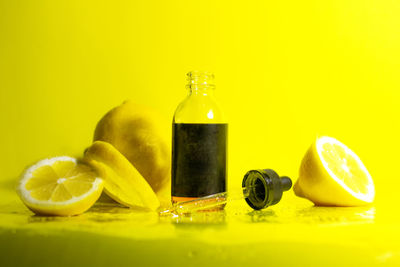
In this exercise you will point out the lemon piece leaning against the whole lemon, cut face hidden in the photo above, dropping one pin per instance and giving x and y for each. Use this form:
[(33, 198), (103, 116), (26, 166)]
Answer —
[(122, 182)]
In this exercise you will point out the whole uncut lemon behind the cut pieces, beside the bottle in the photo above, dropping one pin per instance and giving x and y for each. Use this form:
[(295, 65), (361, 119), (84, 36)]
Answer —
[(141, 135)]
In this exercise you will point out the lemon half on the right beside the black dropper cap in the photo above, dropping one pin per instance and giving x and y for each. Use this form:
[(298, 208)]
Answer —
[(331, 174)]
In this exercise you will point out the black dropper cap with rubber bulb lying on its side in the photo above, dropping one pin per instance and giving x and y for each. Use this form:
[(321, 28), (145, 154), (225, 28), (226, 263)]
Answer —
[(265, 187)]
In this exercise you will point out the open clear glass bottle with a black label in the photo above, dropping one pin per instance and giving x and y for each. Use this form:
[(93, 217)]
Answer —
[(199, 142)]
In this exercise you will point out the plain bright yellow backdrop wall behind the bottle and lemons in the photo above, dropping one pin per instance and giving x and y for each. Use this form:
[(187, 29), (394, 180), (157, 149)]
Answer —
[(287, 71)]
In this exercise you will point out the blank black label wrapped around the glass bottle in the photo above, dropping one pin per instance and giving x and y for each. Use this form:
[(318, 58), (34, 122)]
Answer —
[(198, 159)]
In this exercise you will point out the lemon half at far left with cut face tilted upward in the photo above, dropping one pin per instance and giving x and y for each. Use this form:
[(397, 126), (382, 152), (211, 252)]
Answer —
[(59, 186)]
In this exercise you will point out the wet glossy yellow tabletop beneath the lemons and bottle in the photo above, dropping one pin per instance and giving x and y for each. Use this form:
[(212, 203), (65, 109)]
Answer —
[(293, 232)]
